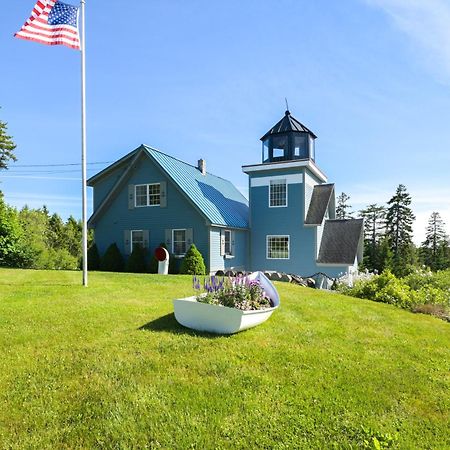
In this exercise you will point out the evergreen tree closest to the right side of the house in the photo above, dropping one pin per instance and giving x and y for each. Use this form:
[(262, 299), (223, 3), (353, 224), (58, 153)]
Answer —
[(374, 230)]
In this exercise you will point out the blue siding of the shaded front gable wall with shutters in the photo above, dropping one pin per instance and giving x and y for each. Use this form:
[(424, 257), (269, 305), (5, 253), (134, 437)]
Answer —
[(179, 213)]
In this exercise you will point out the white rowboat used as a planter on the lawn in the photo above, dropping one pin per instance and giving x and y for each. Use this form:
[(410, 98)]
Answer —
[(221, 319)]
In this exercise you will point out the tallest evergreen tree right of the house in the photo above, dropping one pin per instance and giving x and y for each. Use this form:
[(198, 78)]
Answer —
[(399, 220)]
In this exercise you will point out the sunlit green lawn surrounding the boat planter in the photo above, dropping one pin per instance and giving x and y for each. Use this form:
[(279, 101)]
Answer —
[(108, 366)]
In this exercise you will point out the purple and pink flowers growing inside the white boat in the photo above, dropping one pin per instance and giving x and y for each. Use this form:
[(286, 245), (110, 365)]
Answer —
[(233, 292)]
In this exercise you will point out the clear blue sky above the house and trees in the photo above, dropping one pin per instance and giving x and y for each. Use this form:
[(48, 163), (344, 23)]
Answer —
[(207, 79)]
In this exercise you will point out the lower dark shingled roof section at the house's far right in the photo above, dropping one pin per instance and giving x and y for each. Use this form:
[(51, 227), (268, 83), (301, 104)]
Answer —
[(340, 241)]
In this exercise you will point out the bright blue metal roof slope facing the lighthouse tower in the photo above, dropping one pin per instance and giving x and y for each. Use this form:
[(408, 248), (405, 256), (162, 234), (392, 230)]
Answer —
[(218, 199)]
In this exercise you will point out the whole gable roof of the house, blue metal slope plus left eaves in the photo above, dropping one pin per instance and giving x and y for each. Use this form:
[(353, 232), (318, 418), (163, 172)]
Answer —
[(215, 198)]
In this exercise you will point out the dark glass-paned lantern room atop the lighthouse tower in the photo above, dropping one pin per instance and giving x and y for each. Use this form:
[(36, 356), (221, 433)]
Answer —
[(288, 140)]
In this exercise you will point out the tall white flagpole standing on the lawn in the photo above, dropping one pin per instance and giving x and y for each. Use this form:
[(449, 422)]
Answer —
[(83, 142)]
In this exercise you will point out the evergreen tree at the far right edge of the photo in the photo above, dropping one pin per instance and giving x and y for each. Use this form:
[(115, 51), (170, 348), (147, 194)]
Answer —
[(434, 253)]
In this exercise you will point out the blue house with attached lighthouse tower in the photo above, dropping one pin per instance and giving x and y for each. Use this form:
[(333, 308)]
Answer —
[(288, 225)]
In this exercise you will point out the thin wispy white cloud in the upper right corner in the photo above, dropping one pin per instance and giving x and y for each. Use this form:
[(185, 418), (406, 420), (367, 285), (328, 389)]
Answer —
[(426, 22)]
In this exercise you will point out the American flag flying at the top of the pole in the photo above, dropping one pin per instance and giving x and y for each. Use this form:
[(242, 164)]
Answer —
[(52, 23)]
